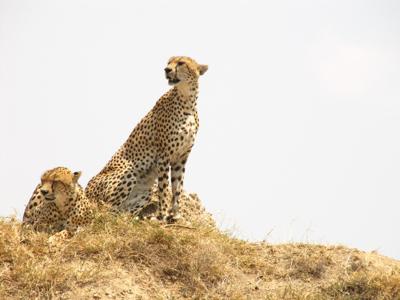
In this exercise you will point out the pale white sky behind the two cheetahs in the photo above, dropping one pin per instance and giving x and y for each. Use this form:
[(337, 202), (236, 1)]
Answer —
[(299, 111)]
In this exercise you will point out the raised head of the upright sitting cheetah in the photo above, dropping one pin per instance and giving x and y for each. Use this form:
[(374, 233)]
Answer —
[(183, 69)]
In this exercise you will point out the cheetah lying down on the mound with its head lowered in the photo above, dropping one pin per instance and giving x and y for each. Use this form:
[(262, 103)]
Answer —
[(58, 204)]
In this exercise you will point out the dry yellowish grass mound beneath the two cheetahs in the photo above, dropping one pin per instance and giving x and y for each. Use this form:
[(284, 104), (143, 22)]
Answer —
[(118, 258)]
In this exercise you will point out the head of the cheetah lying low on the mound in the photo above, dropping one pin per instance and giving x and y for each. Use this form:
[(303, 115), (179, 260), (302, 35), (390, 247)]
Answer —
[(59, 185)]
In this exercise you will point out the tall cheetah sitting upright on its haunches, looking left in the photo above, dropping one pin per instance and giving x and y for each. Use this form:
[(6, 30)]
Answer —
[(161, 142)]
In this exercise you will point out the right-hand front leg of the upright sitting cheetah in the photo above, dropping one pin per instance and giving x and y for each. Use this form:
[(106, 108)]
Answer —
[(177, 174)]
